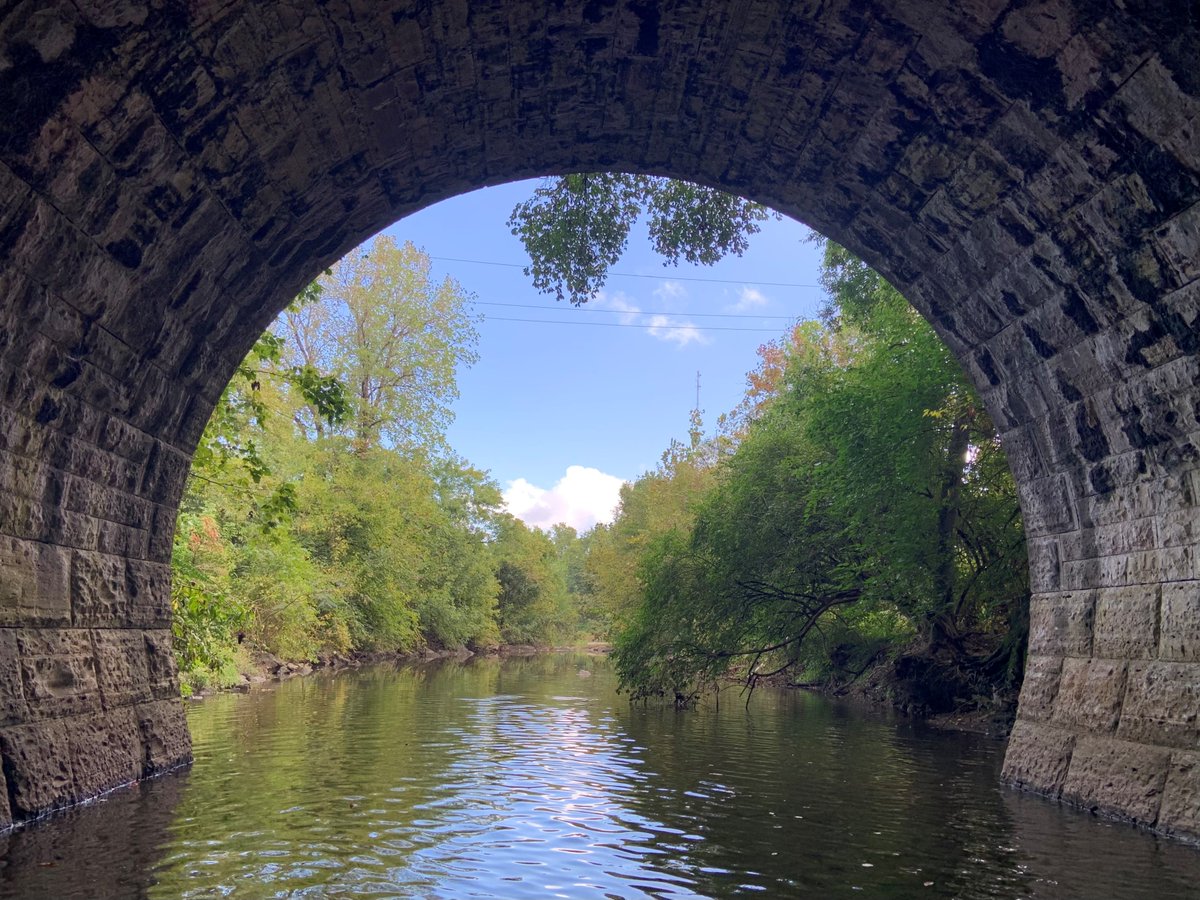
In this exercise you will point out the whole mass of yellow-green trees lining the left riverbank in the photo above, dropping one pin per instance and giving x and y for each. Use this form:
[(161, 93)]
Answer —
[(323, 514)]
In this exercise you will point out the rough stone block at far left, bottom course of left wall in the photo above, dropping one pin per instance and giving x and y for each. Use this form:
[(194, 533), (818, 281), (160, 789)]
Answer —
[(38, 767)]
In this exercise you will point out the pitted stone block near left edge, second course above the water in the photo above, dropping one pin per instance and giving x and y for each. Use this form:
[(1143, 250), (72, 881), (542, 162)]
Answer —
[(58, 673)]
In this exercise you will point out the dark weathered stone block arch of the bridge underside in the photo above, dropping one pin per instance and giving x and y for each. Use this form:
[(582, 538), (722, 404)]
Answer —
[(1027, 173)]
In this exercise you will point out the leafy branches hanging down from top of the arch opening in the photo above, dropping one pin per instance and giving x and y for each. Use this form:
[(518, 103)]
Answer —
[(577, 227)]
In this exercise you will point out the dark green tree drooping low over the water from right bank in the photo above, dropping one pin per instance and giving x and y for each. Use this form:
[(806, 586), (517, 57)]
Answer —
[(749, 575)]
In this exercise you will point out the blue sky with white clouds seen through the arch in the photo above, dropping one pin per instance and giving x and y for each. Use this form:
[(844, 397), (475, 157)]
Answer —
[(565, 409)]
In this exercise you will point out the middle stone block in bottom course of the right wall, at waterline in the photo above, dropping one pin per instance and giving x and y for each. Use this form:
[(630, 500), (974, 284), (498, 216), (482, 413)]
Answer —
[(1118, 778)]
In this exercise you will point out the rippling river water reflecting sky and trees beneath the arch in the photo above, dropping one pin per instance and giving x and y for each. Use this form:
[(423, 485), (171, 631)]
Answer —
[(532, 778)]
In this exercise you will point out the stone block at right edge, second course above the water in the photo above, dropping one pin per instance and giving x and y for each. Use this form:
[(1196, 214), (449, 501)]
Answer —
[(1162, 705)]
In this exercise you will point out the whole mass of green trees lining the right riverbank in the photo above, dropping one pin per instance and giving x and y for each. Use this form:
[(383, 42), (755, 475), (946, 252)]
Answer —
[(867, 507)]
